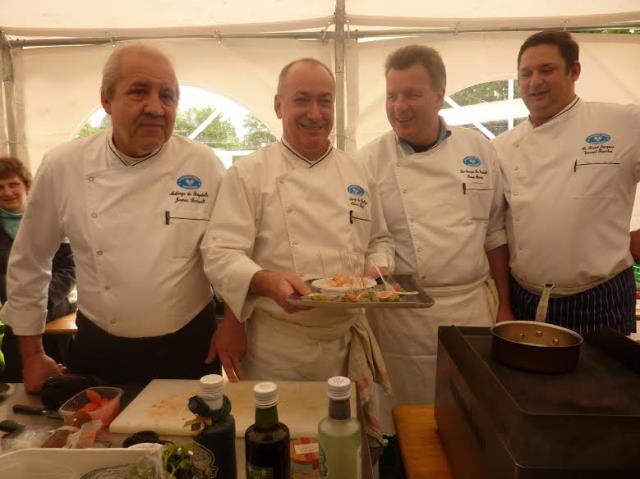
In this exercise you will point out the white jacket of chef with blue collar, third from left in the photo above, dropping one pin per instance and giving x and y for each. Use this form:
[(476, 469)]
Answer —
[(444, 207)]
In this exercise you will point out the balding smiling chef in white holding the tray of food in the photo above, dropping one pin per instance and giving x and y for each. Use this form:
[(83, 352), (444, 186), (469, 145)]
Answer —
[(295, 210)]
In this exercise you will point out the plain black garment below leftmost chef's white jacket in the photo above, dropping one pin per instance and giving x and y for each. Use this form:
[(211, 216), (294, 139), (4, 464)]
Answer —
[(119, 360)]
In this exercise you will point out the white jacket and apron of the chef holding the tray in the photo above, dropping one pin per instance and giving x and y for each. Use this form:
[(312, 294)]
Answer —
[(276, 211)]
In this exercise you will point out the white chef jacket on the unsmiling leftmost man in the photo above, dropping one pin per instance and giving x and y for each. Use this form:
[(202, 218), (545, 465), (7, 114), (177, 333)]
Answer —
[(135, 233)]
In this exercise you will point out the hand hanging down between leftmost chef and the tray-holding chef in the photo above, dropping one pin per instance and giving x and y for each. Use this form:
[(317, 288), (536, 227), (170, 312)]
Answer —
[(229, 343)]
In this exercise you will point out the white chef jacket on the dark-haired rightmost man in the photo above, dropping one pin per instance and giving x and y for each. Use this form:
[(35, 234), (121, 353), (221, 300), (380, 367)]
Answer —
[(570, 185)]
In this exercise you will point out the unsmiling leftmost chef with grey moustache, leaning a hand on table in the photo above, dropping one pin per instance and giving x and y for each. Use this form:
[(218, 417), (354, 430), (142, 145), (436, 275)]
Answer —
[(134, 203)]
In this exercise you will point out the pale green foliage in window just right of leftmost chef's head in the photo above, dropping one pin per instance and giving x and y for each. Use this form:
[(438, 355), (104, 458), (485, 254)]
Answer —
[(220, 133)]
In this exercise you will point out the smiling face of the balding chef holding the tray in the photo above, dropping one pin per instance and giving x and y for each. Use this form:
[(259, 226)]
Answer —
[(305, 106)]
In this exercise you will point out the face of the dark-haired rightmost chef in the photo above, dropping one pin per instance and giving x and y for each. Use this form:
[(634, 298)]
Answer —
[(546, 84)]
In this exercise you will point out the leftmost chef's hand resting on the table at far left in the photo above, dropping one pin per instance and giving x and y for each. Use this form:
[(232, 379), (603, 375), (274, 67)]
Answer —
[(36, 365)]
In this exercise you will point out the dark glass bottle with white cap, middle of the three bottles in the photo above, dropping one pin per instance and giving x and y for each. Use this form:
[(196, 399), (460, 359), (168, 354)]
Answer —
[(267, 441)]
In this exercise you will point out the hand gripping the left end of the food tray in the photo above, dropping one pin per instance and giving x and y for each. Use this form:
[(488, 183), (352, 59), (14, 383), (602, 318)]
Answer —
[(279, 286)]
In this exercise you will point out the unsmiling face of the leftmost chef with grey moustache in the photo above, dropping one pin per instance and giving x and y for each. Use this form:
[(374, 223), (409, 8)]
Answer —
[(143, 105)]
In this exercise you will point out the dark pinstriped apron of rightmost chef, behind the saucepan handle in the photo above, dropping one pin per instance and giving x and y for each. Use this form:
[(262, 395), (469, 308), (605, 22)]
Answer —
[(611, 304)]
